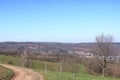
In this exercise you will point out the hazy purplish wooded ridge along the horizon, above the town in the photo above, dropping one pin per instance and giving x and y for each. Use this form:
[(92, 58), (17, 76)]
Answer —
[(49, 47)]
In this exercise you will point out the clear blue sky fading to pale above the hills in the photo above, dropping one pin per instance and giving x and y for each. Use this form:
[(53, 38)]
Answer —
[(58, 20)]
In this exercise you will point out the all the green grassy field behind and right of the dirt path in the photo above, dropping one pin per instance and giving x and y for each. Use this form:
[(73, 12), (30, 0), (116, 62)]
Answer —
[(51, 72)]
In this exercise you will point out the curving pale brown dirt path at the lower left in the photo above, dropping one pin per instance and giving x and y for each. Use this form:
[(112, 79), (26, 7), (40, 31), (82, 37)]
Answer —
[(24, 74)]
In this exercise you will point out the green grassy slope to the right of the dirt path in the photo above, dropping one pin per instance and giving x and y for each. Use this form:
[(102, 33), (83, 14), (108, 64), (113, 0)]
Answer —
[(54, 74)]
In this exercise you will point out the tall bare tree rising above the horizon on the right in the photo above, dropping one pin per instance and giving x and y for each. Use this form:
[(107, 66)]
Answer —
[(103, 50)]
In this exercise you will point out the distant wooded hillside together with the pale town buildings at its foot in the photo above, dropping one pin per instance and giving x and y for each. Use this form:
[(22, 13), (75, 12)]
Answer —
[(80, 49)]
